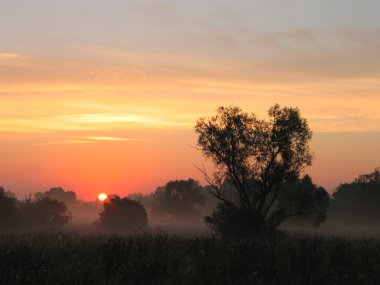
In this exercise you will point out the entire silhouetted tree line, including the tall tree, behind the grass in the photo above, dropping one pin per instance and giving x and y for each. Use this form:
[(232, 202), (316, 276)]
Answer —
[(256, 187)]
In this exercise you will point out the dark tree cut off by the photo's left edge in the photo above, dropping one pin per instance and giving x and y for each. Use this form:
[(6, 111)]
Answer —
[(9, 214)]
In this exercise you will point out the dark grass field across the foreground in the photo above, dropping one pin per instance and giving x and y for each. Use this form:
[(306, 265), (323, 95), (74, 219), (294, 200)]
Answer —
[(158, 258)]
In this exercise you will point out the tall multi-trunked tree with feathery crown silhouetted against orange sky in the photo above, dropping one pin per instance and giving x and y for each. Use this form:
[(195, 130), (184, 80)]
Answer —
[(257, 158)]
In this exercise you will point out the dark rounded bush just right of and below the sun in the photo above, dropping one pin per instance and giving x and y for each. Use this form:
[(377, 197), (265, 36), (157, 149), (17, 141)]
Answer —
[(122, 214)]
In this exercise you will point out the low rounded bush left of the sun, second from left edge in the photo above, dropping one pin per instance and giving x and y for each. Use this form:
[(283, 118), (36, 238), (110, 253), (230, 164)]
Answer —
[(44, 213)]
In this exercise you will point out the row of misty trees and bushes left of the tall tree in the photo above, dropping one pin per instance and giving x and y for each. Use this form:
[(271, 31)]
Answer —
[(177, 201)]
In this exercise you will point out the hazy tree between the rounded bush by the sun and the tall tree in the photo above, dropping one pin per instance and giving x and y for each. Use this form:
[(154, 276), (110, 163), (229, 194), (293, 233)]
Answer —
[(176, 200)]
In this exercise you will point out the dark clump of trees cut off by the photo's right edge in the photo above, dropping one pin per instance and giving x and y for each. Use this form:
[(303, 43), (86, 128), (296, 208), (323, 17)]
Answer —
[(358, 202)]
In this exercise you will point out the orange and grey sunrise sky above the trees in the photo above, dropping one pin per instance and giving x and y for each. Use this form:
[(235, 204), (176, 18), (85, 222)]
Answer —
[(102, 96)]
